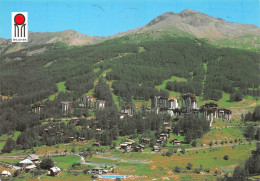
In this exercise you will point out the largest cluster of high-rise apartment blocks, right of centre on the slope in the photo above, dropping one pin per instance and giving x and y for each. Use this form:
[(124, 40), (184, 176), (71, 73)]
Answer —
[(189, 105)]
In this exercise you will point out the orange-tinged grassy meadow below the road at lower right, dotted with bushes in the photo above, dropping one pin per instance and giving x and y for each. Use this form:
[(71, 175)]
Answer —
[(161, 166)]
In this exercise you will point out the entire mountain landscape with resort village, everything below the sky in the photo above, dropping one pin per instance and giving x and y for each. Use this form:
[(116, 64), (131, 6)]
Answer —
[(175, 99)]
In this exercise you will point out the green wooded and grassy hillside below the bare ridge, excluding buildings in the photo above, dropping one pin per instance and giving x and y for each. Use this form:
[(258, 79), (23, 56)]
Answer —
[(124, 72)]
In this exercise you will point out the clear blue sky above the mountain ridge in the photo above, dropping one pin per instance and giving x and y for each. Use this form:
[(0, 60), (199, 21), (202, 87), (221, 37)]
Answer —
[(108, 17)]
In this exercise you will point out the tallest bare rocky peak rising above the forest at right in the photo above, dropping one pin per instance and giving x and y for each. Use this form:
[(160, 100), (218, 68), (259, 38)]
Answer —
[(200, 25)]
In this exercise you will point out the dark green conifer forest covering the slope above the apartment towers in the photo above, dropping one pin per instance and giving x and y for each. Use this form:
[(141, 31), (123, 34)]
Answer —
[(136, 68)]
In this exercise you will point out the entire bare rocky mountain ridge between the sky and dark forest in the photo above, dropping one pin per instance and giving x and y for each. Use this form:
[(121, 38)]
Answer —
[(187, 23)]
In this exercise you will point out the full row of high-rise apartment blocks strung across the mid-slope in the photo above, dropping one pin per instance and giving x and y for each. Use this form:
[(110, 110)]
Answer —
[(159, 104)]
